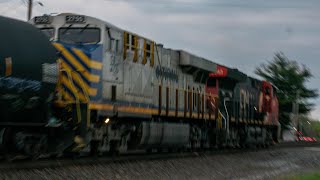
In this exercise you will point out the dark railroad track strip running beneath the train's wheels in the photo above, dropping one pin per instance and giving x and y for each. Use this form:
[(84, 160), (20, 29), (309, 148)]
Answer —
[(134, 157)]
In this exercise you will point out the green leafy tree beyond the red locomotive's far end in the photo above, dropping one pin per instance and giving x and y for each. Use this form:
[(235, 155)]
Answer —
[(290, 78)]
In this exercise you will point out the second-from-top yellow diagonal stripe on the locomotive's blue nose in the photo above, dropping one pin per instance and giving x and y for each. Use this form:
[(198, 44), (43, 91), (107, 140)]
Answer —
[(76, 64)]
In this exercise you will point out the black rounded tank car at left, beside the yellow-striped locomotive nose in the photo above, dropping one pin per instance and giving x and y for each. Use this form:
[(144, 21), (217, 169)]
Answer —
[(28, 76)]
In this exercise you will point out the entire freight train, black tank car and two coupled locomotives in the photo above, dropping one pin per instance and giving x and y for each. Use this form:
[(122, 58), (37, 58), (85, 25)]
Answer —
[(76, 84)]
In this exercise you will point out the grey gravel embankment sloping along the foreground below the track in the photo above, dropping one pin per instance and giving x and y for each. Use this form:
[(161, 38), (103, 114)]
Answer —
[(264, 164)]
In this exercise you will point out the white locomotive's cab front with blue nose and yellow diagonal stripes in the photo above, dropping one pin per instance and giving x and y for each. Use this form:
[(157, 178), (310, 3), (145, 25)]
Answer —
[(79, 41)]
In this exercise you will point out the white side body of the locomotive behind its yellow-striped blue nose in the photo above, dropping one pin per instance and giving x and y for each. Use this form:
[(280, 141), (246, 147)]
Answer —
[(144, 69)]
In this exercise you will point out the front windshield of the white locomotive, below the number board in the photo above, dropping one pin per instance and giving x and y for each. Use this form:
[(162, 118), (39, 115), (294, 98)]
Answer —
[(79, 35)]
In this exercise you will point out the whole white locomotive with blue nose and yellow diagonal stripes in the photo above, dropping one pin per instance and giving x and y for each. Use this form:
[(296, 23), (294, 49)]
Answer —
[(127, 91)]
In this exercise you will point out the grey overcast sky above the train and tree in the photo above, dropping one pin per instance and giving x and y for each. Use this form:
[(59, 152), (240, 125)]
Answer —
[(236, 33)]
